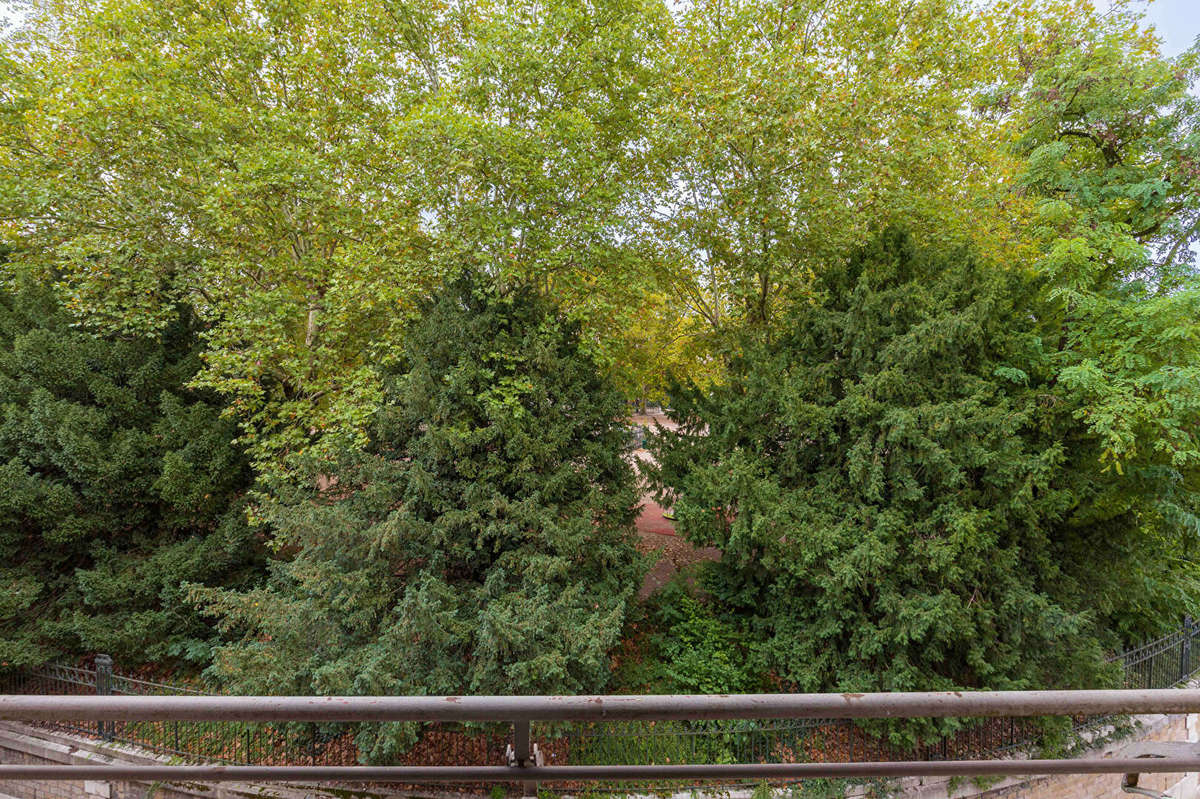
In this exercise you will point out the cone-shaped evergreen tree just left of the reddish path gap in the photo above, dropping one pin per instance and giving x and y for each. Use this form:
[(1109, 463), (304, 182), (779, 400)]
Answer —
[(482, 543)]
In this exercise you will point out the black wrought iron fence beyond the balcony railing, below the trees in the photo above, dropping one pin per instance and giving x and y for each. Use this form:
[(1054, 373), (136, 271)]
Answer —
[(1165, 663)]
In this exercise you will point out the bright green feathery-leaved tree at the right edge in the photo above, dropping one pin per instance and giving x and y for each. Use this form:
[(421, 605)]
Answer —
[(1107, 134)]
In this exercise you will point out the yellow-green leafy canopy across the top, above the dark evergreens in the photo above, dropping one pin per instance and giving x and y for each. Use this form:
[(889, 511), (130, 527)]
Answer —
[(301, 173)]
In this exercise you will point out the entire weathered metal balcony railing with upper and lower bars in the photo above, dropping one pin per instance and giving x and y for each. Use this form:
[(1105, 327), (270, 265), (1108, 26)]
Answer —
[(524, 761)]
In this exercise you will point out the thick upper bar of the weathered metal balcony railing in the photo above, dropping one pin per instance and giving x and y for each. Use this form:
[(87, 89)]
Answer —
[(599, 708)]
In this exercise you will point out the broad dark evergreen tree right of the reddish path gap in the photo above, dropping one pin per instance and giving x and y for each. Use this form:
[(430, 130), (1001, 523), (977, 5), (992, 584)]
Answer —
[(909, 497)]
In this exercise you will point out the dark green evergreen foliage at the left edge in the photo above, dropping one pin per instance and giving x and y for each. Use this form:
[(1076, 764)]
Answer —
[(118, 486)]
